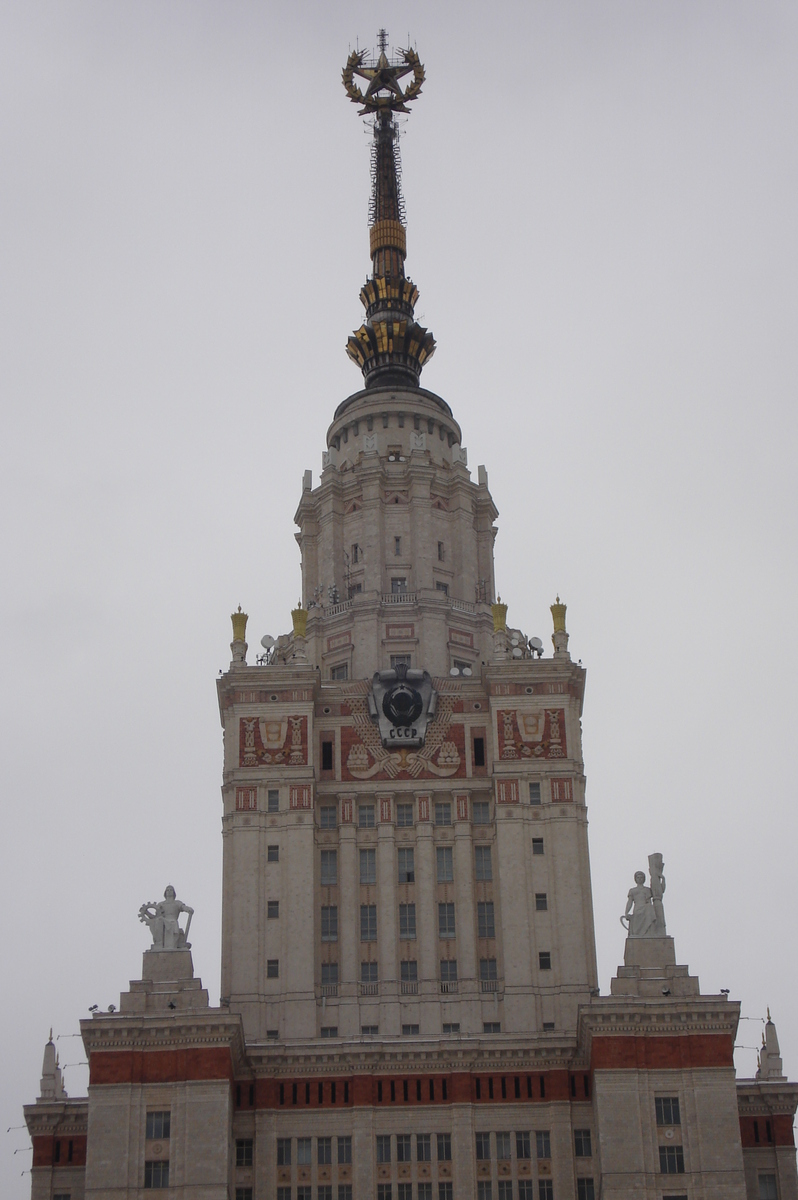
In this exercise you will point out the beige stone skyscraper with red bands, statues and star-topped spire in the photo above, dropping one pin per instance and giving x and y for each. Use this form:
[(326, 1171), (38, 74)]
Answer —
[(410, 1000)]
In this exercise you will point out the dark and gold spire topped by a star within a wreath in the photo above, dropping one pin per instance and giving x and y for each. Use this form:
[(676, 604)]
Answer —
[(391, 347)]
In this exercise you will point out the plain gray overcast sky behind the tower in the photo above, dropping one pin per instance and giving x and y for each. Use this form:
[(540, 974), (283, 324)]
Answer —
[(602, 220)]
